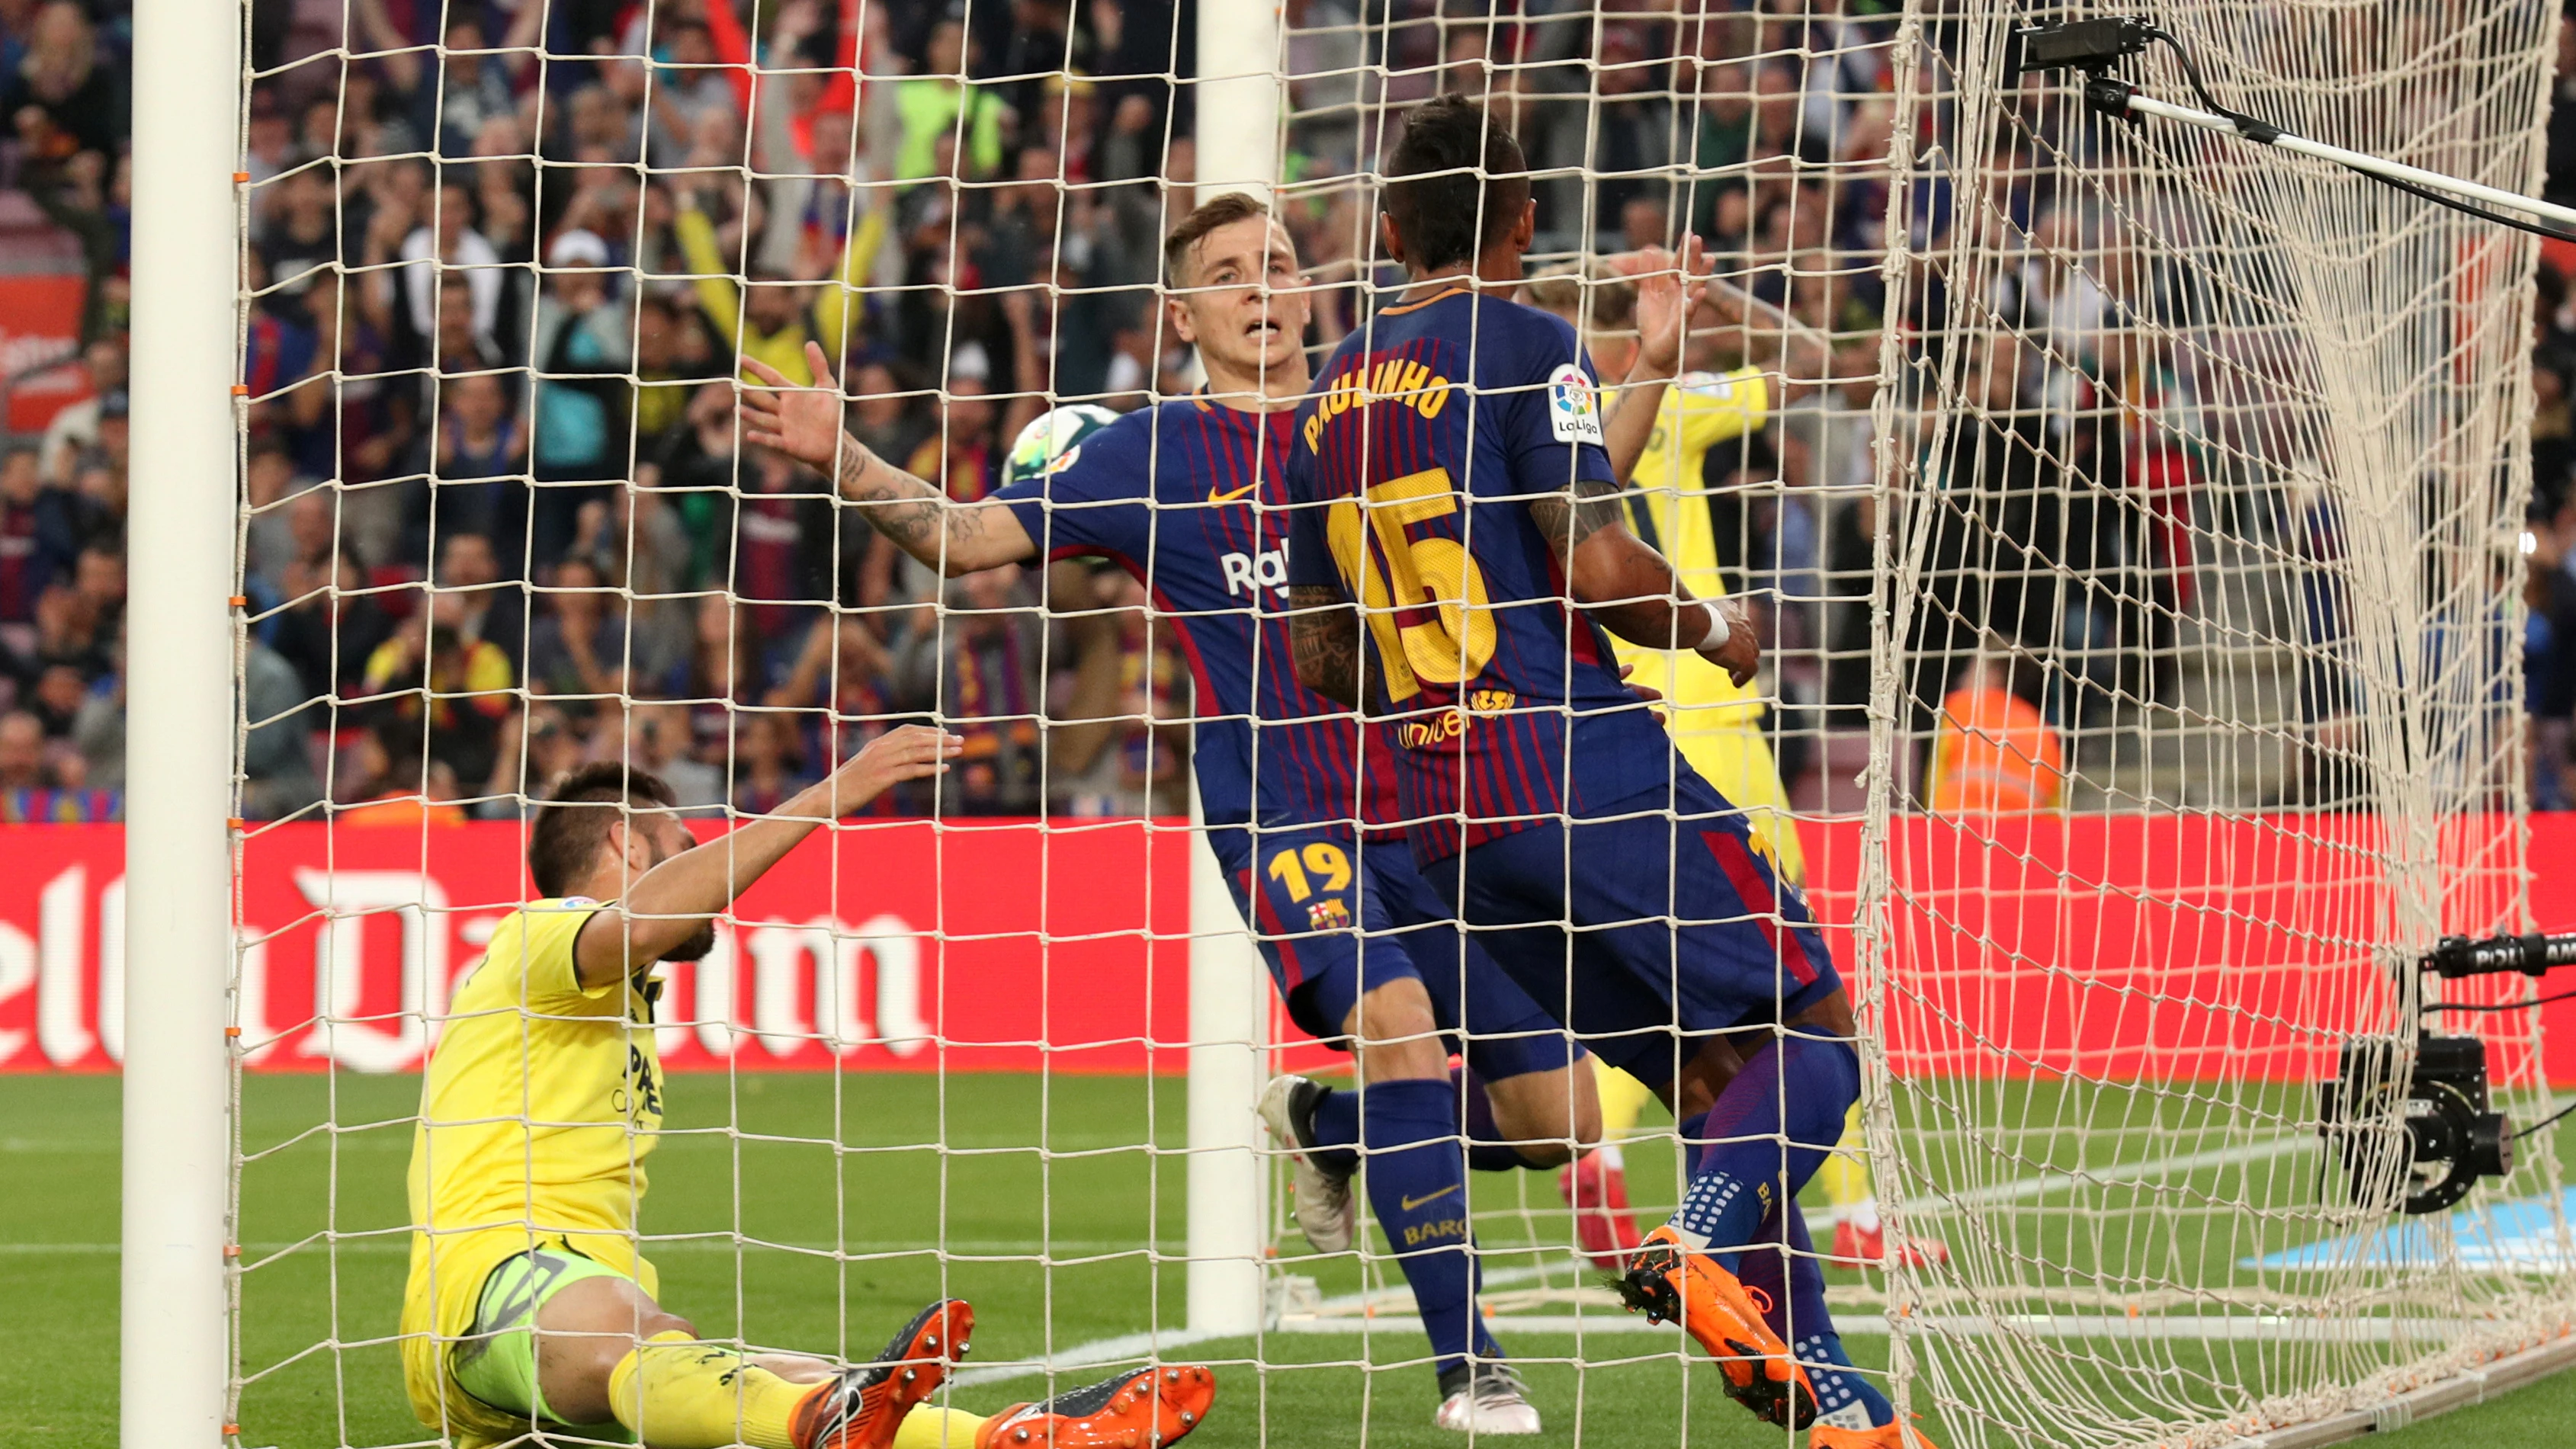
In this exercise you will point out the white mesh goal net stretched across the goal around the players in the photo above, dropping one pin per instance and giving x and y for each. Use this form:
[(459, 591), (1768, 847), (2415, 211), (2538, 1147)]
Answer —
[(2129, 519)]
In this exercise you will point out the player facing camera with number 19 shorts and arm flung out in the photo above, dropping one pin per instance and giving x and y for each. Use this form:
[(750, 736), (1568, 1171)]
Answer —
[(1189, 498)]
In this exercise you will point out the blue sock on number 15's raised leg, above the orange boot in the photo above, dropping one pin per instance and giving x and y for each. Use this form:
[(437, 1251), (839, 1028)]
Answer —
[(1771, 1131)]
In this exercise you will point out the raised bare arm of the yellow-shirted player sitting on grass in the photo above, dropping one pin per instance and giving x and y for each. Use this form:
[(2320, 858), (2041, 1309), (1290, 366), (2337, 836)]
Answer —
[(687, 892)]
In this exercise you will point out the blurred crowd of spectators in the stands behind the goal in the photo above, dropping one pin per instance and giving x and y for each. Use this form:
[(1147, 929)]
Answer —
[(622, 210)]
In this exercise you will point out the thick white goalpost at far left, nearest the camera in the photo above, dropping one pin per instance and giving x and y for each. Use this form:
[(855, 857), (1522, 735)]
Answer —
[(182, 730)]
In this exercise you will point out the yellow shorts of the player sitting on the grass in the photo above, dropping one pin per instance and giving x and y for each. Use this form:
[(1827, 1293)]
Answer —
[(439, 1309)]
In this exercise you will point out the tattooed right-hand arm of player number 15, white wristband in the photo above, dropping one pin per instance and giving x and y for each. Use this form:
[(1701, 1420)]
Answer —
[(1629, 588)]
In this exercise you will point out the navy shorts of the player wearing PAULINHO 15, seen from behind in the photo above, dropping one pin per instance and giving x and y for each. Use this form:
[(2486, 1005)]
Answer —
[(1681, 925)]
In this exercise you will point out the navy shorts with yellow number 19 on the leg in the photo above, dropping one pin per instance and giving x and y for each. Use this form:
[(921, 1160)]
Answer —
[(1338, 920)]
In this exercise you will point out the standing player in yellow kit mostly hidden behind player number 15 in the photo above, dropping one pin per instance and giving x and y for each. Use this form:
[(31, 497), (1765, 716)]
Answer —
[(1714, 722)]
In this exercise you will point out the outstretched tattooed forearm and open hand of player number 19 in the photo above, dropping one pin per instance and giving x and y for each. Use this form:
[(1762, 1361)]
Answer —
[(921, 519)]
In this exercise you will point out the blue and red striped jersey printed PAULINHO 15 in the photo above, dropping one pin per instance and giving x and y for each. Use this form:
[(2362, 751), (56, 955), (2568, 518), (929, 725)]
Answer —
[(1410, 483)]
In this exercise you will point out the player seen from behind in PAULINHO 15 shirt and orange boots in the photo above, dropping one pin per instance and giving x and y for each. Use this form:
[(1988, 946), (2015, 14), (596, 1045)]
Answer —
[(1457, 557)]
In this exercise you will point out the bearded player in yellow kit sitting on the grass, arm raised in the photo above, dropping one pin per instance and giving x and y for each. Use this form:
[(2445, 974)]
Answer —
[(529, 1306)]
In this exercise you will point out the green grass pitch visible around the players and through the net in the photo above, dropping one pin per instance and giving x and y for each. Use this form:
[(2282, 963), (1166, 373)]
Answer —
[(844, 1244)]
